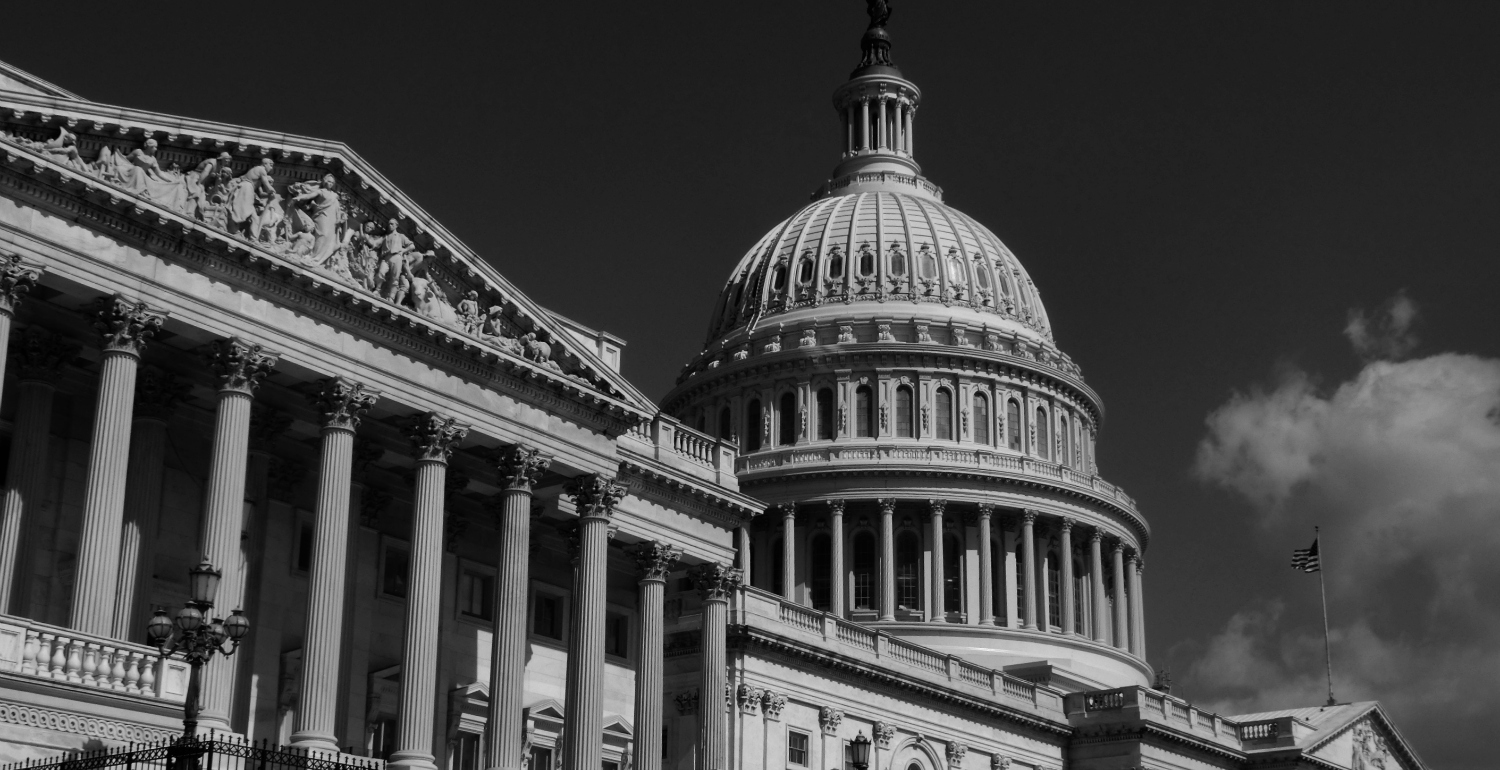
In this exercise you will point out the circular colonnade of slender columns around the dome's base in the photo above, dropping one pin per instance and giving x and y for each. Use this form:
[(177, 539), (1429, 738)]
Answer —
[(1114, 616)]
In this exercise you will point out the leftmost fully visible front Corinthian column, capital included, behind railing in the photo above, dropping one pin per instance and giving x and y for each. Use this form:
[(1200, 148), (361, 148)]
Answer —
[(125, 326)]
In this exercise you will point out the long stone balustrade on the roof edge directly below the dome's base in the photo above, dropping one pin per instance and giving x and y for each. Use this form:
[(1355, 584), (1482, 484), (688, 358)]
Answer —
[(773, 615)]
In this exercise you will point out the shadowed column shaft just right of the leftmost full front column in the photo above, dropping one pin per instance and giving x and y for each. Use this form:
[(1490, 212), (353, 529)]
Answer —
[(143, 507)]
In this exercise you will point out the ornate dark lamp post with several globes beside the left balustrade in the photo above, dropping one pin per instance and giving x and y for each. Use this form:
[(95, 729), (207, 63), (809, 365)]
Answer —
[(197, 637)]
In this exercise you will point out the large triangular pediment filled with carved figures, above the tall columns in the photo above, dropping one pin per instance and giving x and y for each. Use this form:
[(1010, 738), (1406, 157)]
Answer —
[(346, 248)]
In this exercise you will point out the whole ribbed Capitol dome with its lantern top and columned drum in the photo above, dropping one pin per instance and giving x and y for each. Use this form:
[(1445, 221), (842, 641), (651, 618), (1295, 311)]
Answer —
[(889, 373)]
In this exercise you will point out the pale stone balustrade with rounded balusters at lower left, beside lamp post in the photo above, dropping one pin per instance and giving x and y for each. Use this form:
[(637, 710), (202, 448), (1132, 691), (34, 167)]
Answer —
[(44, 652)]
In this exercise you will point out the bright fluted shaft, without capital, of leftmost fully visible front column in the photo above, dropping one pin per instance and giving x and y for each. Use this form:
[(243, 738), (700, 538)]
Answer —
[(104, 498)]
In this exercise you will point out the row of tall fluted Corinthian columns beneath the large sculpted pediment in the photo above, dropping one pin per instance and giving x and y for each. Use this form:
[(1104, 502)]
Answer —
[(119, 525)]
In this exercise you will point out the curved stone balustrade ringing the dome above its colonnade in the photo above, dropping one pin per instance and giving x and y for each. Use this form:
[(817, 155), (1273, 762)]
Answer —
[(908, 454)]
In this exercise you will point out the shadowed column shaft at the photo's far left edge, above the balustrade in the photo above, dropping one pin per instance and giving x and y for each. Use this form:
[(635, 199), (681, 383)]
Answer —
[(25, 492)]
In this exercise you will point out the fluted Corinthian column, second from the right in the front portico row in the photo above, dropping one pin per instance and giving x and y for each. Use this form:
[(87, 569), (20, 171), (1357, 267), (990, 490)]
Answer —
[(656, 561)]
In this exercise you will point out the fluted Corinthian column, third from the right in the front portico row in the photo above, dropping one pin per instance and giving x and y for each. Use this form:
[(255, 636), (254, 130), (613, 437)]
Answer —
[(595, 498)]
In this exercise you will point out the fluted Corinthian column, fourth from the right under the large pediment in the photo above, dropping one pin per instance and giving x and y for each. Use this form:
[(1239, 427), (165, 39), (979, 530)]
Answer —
[(521, 469)]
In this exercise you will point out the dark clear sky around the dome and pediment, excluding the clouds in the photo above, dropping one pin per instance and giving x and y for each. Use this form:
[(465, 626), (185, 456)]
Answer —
[(1202, 191)]
